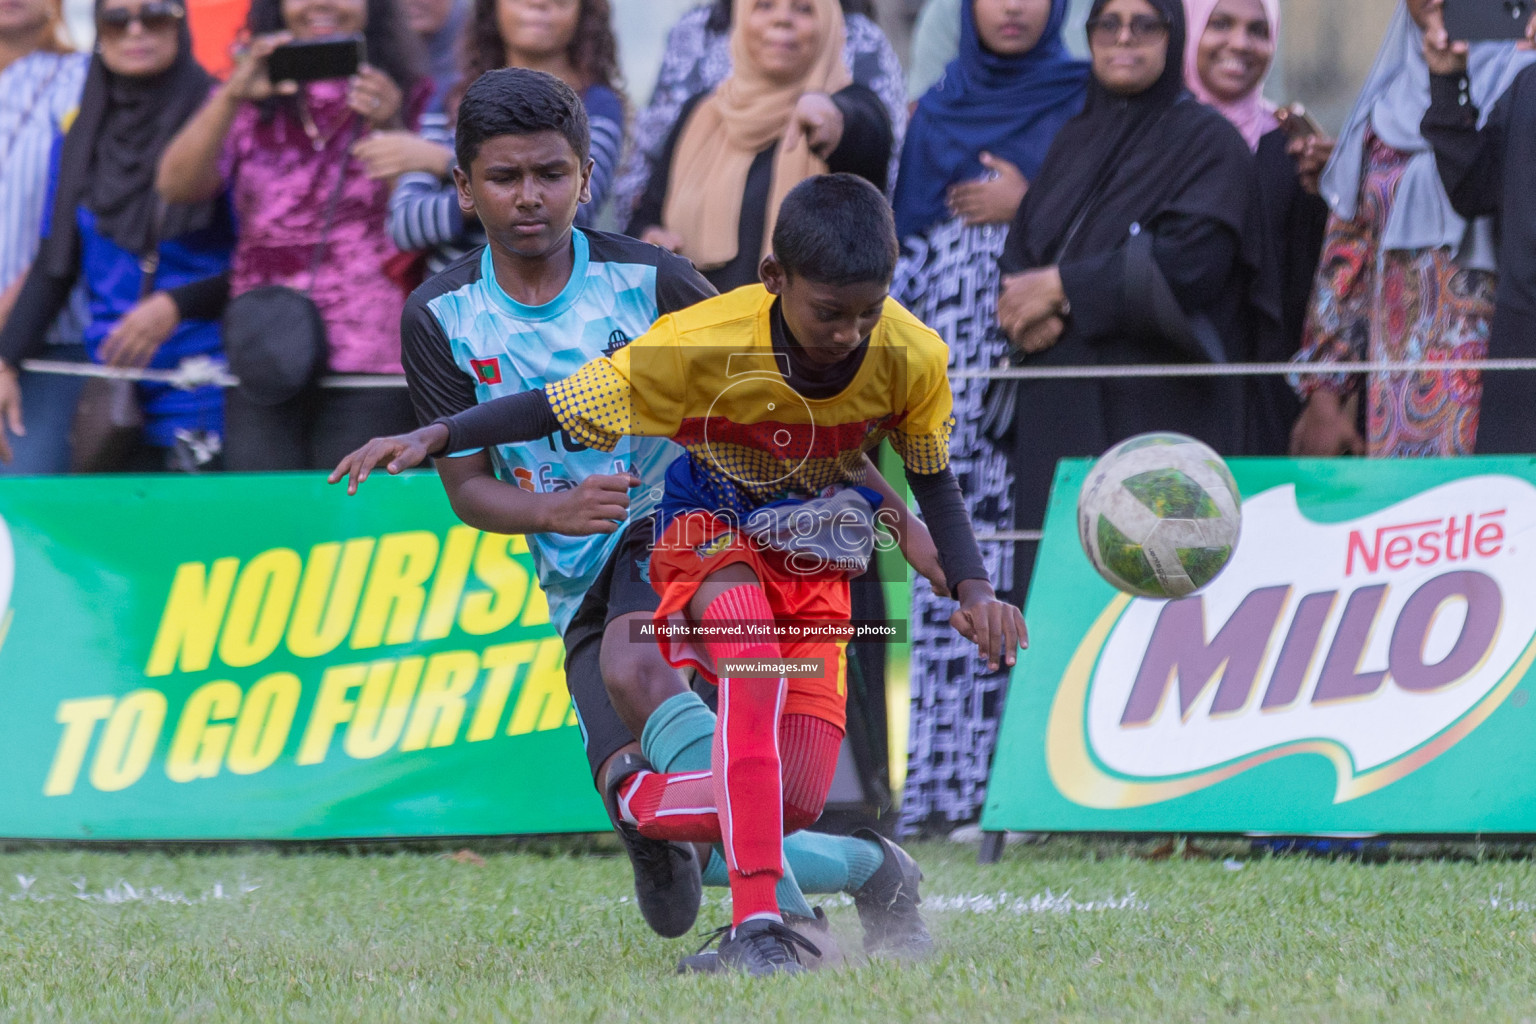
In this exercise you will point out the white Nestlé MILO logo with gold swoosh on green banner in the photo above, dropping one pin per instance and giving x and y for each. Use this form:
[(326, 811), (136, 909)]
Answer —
[(1377, 644)]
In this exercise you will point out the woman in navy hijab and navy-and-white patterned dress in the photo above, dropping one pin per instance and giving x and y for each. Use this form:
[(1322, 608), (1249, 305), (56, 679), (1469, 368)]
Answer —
[(975, 144)]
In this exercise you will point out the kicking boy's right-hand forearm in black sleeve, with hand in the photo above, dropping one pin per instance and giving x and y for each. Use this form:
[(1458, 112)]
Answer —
[(996, 627)]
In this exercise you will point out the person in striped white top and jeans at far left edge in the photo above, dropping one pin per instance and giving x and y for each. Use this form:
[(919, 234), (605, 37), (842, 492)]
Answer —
[(39, 87)]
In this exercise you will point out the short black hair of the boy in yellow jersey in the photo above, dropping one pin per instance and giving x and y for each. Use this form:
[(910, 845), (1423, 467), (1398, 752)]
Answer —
[(836, 230)]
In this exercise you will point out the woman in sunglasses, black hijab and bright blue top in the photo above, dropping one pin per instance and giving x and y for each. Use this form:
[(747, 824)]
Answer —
[(153, 271)]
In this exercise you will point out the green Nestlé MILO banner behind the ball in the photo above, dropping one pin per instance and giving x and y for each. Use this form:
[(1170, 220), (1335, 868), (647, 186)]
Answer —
[(1360, 667)]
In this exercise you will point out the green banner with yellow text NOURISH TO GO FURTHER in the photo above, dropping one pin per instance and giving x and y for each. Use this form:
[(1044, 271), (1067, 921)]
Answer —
[(265, 658)]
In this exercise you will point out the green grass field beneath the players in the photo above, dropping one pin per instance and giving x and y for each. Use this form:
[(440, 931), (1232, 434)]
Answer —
[(1065, 931)]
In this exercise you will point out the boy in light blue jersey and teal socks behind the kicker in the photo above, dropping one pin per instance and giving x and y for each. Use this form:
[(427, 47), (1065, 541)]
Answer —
[(537, 303)]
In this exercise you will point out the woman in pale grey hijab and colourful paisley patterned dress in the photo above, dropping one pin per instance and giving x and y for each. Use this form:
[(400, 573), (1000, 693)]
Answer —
[(1403, 277)]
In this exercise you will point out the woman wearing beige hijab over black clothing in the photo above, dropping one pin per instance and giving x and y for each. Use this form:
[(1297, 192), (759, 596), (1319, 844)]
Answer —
[(787, 111)]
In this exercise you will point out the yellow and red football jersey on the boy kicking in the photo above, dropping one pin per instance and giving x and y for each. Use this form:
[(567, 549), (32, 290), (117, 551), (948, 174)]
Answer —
[(709, 378)]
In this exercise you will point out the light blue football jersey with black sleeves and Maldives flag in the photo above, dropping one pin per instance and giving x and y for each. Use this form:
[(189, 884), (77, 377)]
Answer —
[(466, 342)]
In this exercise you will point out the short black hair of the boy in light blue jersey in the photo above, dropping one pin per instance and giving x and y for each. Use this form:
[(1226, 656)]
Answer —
[(520, 102)]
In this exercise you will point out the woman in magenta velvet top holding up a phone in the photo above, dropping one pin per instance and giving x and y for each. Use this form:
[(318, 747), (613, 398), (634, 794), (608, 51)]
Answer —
[(311, 220)]
